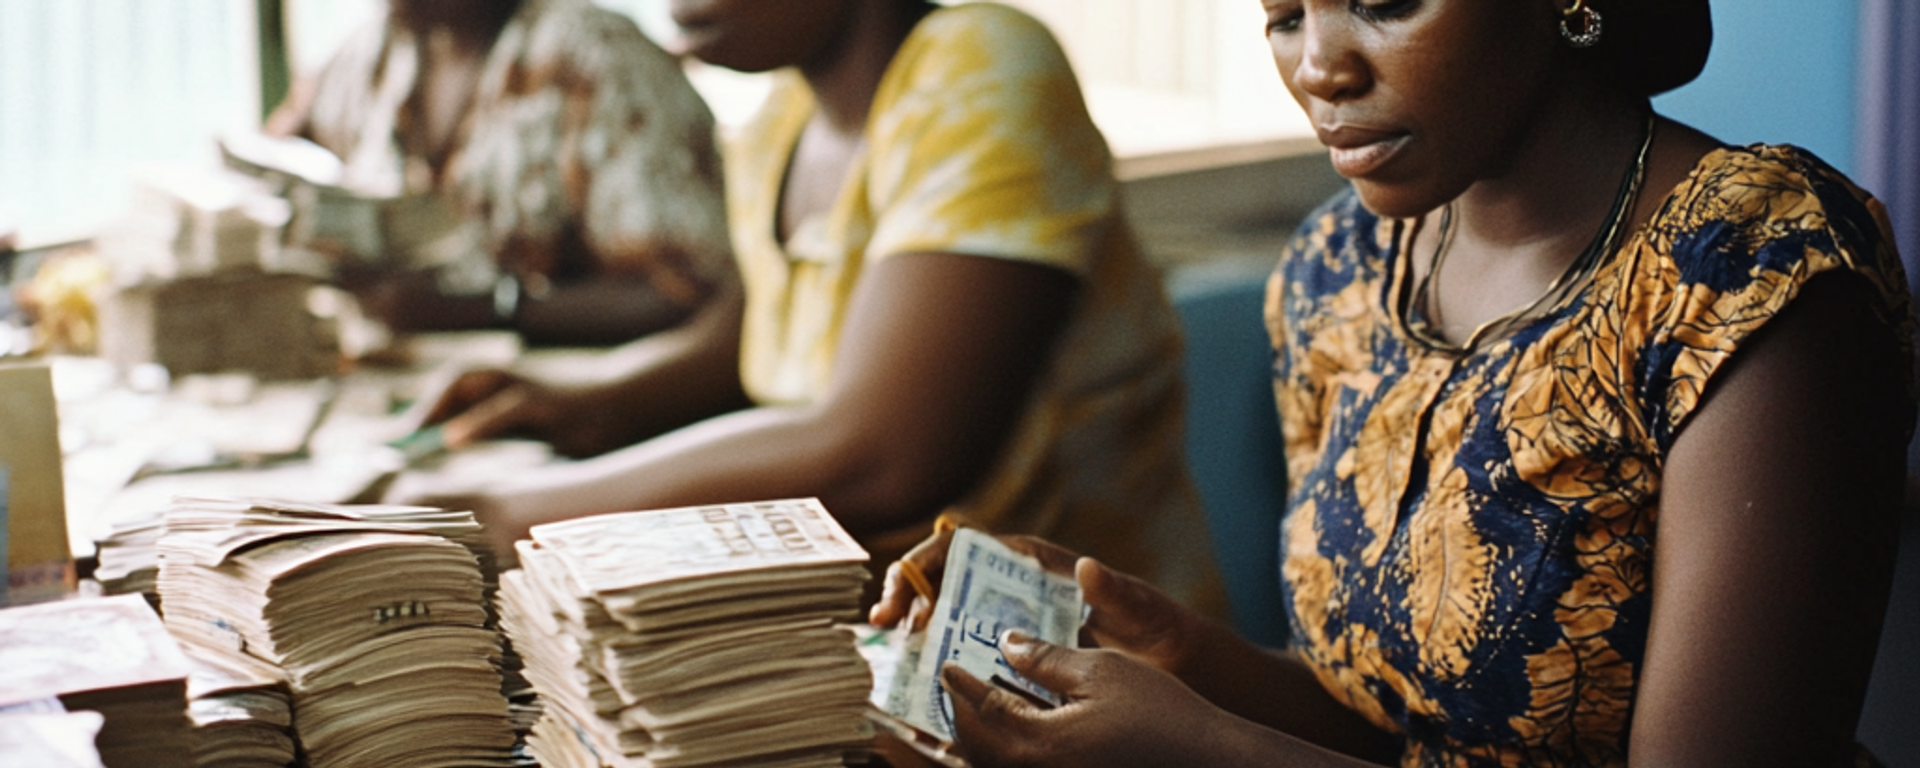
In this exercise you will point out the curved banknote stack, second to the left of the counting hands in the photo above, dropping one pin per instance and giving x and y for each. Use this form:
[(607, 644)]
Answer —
[(373, 617)]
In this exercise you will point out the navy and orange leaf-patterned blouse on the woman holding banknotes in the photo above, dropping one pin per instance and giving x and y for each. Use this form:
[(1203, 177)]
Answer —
[(1470, 537)]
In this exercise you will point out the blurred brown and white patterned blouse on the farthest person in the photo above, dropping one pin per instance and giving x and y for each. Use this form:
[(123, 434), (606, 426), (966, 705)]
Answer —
[(585, 151)]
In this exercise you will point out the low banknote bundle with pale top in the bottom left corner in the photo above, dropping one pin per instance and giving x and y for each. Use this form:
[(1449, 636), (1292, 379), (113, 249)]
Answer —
[(107, 656)]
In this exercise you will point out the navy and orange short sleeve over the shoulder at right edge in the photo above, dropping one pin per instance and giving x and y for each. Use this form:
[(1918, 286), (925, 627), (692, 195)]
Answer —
[(1742, 241)]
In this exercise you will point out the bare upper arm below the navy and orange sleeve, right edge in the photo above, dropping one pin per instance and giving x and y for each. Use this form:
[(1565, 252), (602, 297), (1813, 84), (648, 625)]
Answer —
[(1777, 542)]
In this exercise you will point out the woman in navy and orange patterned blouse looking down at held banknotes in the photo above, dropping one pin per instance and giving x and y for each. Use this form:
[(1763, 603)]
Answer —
[(1595, 431)]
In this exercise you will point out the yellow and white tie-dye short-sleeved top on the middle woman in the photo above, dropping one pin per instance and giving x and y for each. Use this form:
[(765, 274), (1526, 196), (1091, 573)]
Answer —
[(978, 143)]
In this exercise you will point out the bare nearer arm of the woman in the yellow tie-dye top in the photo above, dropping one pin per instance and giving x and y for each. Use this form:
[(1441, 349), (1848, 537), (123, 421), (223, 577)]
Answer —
[(934, 370)]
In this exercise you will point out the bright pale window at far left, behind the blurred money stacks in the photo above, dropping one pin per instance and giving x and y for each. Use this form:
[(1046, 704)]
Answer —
[(95, 89)]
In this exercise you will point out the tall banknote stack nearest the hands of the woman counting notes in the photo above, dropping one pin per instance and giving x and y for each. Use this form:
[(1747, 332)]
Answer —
[(692, 636)]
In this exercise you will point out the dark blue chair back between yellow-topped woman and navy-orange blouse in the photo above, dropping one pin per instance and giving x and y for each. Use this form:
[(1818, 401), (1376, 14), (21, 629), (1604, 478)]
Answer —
[(1234, 441)]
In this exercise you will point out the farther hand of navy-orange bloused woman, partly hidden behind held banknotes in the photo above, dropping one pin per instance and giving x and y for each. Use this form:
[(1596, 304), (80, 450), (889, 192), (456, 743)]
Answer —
[(1126, 613)]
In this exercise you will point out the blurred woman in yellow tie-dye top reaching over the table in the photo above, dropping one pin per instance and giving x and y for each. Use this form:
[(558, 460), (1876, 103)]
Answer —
[(942, 310)]
